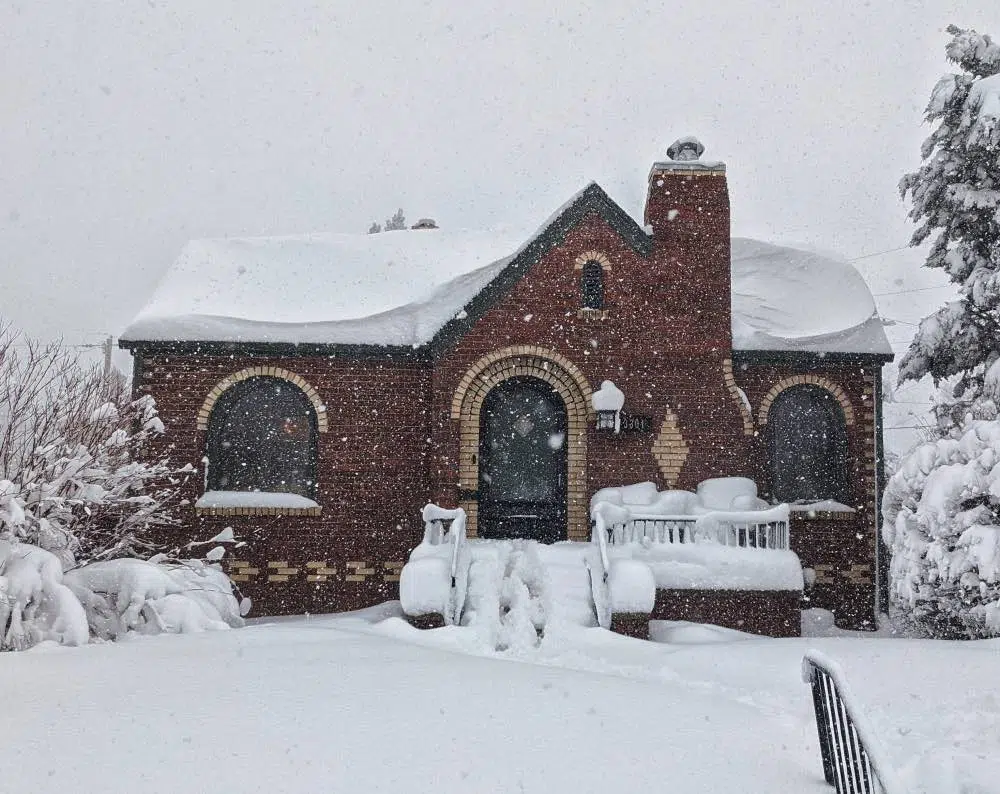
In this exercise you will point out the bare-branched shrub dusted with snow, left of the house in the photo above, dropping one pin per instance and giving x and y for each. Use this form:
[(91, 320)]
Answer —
[(72, 480)]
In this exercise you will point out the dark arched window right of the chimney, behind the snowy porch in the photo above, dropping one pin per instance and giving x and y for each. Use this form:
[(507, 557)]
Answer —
[(808, 446)]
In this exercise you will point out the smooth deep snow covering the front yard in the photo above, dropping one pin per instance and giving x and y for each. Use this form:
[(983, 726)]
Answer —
[(355, 703)]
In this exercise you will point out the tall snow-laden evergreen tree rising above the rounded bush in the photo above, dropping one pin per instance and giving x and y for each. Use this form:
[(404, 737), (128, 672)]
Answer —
[(955, 198)]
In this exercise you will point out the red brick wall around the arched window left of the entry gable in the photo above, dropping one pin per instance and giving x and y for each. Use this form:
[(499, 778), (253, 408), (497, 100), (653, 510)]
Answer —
[(372, 479)]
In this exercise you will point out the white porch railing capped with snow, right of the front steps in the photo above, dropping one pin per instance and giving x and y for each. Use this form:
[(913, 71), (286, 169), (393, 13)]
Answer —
[(755, 529)]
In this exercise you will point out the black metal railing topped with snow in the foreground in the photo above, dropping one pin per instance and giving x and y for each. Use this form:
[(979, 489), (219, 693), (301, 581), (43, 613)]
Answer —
[(853, 758)]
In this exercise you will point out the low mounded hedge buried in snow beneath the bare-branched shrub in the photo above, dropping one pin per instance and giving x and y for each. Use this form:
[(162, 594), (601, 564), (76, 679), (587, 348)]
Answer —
[(39, 602)]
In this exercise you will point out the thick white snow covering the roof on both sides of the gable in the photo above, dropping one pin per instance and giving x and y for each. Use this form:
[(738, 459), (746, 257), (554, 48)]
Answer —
[(400, 288)]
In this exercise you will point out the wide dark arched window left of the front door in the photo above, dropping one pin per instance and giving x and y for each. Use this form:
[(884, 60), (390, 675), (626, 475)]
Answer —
[(262, 437)]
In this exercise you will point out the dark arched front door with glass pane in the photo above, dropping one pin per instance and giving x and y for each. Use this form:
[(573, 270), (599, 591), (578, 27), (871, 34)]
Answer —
[(522, 462)]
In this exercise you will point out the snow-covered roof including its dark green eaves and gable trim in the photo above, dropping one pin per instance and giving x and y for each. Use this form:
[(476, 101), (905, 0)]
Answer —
[(788, 305)]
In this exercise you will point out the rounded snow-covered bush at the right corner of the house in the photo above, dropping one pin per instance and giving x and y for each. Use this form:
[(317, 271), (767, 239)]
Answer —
[(942, 525)]
